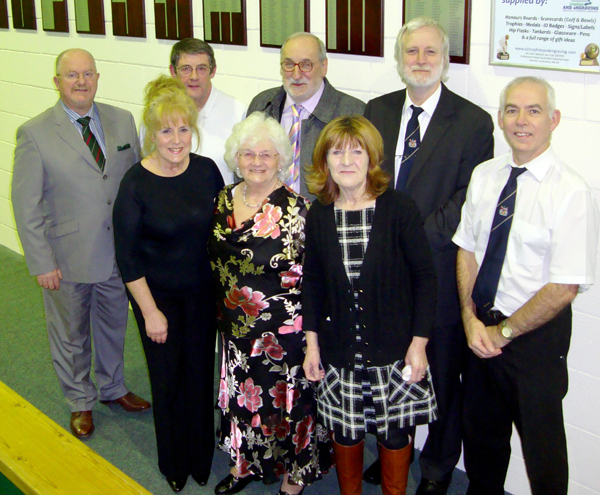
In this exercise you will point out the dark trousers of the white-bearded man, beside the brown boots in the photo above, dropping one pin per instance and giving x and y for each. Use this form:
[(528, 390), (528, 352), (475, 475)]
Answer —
[(447, 354)]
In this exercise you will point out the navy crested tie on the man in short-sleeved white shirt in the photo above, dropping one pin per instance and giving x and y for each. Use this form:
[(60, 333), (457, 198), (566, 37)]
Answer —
[(486, 285)]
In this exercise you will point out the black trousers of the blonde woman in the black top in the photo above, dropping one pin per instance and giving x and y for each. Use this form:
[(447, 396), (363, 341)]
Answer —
[(181, 376)]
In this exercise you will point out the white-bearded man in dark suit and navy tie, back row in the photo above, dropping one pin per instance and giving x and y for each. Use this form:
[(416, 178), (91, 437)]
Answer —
[(433, 139)]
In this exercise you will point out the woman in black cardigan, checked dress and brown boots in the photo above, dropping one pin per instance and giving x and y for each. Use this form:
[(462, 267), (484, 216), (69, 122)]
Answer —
[(368, 304)]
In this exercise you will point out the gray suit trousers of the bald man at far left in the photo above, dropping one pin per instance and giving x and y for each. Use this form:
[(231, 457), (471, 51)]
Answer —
[(75, 314)]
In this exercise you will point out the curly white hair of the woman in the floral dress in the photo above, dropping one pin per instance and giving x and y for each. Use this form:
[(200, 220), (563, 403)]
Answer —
[(254, 128)]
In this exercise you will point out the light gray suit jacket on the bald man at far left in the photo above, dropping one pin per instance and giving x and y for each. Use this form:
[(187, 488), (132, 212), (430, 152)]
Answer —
[(62, 201)]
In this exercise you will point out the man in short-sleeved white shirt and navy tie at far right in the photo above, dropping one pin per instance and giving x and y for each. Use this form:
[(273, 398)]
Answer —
[(527, 245)]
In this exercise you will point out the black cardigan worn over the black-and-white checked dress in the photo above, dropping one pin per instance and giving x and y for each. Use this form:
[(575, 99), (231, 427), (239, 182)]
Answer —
[(397, 285)]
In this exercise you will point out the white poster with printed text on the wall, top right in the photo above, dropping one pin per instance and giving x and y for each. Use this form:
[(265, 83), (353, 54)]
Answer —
[(543, 34)]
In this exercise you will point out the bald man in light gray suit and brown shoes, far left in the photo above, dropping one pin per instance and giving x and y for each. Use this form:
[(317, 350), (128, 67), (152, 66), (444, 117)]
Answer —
[(69, 162)]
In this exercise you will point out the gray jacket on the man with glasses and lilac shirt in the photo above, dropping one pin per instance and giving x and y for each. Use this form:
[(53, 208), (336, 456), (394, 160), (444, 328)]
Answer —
[(333, 104)]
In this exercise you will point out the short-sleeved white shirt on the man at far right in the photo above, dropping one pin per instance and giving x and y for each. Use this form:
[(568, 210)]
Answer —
[(554, 232)]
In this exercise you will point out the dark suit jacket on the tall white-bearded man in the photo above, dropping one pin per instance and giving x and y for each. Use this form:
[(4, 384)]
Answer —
[(458, 138)]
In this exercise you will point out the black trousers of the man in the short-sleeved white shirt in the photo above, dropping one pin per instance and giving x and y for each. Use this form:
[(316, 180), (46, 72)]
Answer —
[(525, 385)]
